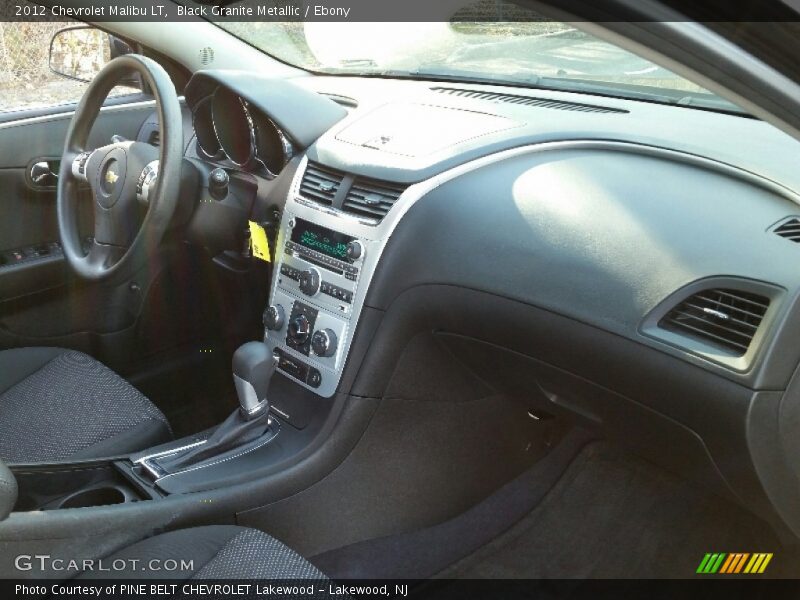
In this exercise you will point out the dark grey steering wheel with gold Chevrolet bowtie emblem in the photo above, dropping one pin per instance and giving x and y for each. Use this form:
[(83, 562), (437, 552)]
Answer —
[(122, 176)]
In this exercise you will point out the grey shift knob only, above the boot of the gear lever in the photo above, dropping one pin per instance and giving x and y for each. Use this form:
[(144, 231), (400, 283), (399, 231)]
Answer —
[(253, 366)]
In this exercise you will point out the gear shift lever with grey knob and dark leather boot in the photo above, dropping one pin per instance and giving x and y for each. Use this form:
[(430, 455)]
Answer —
[(253, 367)]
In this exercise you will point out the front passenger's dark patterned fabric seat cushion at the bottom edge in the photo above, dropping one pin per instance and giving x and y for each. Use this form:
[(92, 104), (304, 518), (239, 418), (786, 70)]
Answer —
[(214, 552)]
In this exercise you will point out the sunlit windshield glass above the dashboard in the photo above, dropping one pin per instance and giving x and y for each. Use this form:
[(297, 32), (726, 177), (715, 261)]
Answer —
[(534, 54)]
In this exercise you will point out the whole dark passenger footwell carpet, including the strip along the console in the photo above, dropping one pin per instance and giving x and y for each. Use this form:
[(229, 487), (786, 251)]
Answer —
[(587, 510)]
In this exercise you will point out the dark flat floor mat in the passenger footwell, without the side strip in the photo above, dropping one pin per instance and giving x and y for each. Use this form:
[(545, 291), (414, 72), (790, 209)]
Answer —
[(614, 516)]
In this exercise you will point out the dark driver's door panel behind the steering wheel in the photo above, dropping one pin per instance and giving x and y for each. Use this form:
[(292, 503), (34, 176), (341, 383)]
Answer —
[(40, 301)]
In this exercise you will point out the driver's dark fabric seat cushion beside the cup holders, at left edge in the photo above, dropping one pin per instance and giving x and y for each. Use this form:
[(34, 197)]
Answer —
[(58, 405)]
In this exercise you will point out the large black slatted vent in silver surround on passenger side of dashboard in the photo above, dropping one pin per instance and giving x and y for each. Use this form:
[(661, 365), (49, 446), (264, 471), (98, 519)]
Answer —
[(723, 317)]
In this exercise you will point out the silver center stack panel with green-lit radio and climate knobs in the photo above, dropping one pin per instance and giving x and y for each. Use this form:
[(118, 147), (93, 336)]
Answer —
[(324, 262)]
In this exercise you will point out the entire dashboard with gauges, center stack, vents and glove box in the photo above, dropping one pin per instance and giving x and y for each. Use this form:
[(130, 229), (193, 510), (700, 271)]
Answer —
[(638, 276)]
